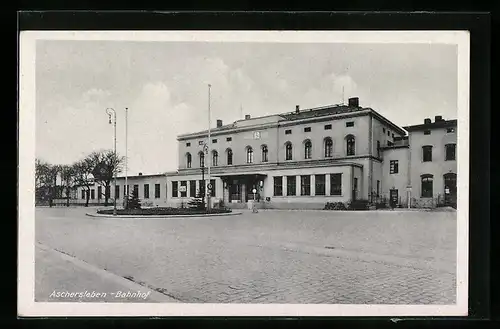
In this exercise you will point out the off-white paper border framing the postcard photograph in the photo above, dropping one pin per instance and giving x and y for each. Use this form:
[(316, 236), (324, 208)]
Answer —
[(28, 307)]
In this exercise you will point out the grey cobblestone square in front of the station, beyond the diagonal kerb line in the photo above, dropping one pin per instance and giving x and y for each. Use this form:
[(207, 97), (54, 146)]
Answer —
[(270, 256)]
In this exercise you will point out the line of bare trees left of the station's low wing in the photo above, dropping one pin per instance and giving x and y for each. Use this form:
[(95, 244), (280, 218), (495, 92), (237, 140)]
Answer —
[(97, 167)]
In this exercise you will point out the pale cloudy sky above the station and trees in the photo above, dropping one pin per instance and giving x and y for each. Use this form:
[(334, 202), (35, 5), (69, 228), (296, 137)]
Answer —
[(165, 87)]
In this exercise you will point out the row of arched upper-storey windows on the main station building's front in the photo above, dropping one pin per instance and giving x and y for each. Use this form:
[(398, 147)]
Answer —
[(327, 148)]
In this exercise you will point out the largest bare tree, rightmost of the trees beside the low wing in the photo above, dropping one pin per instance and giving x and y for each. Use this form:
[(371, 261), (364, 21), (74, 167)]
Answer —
[(106, 165)]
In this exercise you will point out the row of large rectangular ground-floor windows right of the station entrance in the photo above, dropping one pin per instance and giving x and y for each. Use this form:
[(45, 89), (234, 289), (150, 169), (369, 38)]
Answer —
[(305, 185)]
